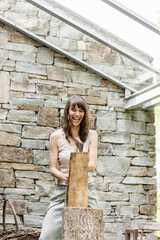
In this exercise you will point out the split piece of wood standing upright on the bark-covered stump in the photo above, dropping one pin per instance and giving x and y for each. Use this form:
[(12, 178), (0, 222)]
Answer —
[(77, 193)]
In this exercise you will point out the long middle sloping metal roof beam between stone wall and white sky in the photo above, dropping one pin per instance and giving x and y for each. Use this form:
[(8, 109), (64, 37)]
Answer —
[(91, 30)]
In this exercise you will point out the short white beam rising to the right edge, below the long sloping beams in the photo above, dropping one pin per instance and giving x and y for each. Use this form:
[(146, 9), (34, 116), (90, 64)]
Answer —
[(143, 96)]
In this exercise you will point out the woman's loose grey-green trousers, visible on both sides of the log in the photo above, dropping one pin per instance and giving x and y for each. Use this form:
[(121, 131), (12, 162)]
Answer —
[(52, 224)]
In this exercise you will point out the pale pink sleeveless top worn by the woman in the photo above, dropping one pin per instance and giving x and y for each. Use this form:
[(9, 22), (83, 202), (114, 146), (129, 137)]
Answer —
[(64, 153)]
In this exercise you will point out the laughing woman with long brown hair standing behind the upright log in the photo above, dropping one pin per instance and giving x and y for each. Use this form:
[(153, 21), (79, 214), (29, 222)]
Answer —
[(75, 125)]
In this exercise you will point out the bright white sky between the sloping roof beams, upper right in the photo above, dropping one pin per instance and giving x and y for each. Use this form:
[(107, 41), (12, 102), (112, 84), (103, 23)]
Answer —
[(120, 25)]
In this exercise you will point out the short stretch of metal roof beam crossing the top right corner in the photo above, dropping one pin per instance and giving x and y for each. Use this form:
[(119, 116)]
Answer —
[(138, 18)]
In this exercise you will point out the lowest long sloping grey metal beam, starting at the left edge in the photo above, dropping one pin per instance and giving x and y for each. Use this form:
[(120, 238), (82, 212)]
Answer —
[(68, 55)]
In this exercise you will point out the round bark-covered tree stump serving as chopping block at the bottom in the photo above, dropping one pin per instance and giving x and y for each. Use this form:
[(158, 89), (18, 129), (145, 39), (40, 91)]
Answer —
[(82, 224)]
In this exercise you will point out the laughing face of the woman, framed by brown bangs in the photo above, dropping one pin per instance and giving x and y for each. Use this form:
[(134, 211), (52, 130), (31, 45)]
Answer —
[(76, 115)]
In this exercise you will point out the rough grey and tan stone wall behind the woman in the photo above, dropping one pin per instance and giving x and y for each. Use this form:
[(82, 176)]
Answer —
[(35, 83)]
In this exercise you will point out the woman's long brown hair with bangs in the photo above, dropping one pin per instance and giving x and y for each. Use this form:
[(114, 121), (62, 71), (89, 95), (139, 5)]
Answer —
[(66, 121)]
